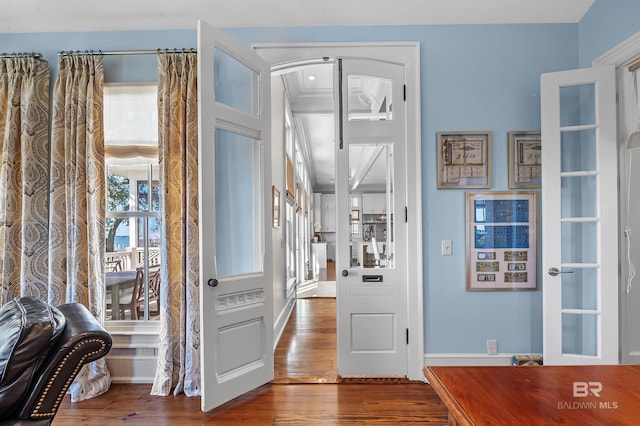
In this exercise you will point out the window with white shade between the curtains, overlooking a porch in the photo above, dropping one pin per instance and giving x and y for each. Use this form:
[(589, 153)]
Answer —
[(133, 212)]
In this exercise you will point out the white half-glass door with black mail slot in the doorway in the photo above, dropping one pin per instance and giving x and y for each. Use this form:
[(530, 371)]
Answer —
[(371, 251)]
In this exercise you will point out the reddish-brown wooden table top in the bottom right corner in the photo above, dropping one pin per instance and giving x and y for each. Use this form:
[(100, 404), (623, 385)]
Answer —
[(534, 395)]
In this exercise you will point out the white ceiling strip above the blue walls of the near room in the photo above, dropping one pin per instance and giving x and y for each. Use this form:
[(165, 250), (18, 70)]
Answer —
[(18, 16)]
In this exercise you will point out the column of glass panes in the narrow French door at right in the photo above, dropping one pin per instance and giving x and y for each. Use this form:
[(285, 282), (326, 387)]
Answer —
[(579, 222)]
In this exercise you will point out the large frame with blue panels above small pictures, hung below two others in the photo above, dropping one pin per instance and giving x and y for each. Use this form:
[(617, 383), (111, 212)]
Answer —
[(502, 240)]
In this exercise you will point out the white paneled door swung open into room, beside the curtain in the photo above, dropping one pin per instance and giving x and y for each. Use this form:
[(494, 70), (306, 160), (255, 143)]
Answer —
[(236, 312)]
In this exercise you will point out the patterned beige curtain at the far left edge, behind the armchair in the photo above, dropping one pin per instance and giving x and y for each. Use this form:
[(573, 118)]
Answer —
[(24, 173)]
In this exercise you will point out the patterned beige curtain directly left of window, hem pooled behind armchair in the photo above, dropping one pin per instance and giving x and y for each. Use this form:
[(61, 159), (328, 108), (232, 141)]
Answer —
[(77, 201)]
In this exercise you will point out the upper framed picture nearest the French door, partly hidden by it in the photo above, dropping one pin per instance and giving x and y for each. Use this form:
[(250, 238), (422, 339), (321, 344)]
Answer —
[(524, 160)]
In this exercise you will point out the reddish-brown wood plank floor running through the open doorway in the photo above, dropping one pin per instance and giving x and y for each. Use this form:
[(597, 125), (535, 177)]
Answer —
[(306, 356)]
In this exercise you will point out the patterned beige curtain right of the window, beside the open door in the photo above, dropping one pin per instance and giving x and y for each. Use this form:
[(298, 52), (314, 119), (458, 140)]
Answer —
[(178, 357)]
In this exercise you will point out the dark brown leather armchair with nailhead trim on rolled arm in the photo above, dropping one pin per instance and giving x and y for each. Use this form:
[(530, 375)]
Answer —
[(42, 349)]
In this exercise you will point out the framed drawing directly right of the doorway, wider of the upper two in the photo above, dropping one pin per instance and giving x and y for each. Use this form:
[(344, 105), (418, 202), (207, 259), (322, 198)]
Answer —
[(464, 160)]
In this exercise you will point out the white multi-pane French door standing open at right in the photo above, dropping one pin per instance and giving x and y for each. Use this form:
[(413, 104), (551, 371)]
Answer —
[(579, 217)]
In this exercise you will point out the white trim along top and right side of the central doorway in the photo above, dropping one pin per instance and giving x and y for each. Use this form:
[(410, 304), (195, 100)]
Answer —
[(408, 55)]
